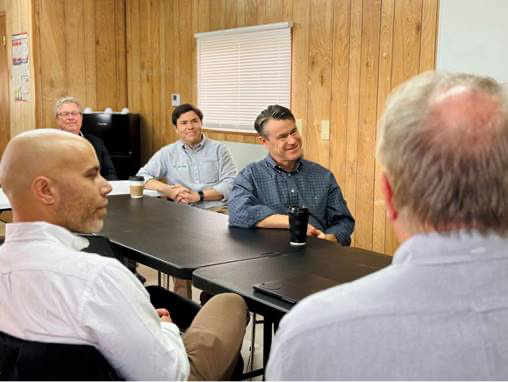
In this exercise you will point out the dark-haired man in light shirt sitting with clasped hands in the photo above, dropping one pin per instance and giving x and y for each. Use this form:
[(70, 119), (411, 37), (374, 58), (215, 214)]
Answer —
[(198, 170)]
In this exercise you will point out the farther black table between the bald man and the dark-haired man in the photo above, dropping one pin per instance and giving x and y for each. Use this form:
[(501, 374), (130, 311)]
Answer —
[(177, 239)]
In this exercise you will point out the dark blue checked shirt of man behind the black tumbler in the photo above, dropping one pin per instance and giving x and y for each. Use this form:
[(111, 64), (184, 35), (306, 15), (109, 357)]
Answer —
[(263, 189)]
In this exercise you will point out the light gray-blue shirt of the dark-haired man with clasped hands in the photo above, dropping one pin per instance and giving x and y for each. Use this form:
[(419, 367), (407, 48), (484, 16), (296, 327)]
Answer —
[(208, 165)]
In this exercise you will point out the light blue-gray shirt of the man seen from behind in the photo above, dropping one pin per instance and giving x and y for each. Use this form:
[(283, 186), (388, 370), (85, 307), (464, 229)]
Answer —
[(438, 313)]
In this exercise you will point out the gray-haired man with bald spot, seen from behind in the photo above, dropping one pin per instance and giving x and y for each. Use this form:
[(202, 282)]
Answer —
[(440, 311)]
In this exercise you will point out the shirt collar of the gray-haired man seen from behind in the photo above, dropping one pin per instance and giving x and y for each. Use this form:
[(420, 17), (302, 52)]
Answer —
[(454, 247)]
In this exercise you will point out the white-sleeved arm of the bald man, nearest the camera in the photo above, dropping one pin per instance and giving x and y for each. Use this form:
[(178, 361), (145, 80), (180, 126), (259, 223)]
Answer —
[(131, 336)]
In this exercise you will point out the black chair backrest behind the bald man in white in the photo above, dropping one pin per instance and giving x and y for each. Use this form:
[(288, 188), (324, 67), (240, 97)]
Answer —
[(23, 361)]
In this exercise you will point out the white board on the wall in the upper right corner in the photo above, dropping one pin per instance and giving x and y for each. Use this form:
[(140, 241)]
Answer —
[(473, 37)]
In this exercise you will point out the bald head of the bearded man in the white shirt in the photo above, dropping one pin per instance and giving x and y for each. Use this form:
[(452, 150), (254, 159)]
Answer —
[(53, 176)]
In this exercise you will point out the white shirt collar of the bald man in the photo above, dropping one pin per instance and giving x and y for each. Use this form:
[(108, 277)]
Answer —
[(44, 231)]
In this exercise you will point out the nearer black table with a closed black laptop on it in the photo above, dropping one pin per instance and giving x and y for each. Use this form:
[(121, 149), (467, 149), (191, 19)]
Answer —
[(318, 257)]
